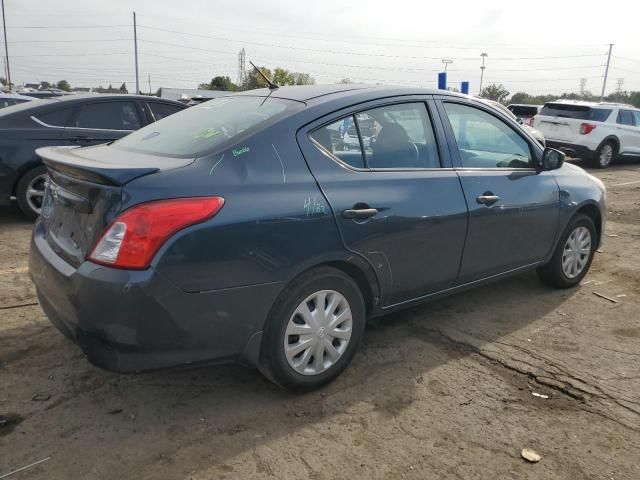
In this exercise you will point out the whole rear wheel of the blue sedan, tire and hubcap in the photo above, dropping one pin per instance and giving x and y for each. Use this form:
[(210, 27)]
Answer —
[(313, 330)]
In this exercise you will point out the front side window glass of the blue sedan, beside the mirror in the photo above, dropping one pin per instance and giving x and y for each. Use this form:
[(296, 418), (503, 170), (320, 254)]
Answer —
[(485, 141)]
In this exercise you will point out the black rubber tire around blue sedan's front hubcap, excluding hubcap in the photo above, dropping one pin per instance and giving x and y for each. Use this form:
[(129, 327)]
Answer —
[(552, 273)]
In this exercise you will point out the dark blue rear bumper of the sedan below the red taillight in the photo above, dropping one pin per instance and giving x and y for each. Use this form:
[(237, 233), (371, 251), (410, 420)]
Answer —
[(129, 321)]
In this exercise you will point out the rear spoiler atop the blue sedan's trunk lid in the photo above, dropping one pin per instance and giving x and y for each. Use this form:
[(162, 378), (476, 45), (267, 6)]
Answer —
[(78, 163)]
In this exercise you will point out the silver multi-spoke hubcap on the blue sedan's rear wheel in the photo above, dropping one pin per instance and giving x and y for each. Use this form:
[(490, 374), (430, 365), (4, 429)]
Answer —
[(318, 332)]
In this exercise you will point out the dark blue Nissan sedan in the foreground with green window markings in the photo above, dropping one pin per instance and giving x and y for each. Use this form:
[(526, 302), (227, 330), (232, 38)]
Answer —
[(244, 229)]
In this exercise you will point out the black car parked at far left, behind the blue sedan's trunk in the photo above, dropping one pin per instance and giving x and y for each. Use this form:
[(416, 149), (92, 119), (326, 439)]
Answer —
[(73, 120)]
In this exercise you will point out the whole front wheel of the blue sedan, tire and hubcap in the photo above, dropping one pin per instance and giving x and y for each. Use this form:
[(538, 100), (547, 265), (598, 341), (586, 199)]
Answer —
[(573, 255)]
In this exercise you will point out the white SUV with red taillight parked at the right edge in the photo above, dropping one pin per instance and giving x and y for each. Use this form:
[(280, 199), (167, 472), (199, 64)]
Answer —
[(593, 131)]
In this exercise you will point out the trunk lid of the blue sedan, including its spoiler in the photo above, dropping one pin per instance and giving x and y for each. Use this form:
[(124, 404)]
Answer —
[(84, 193)]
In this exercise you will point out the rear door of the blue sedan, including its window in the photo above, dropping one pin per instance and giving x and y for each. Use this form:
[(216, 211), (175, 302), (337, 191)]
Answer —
[(395, 196)]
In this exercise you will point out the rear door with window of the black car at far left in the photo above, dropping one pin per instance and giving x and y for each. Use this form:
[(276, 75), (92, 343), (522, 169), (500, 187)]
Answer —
[(103, 121)]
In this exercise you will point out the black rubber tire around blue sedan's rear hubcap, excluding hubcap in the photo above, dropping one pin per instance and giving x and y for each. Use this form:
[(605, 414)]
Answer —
[(273, 361)]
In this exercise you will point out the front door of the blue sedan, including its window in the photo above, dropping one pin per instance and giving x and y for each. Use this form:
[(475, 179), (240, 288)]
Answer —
[(513, 208)]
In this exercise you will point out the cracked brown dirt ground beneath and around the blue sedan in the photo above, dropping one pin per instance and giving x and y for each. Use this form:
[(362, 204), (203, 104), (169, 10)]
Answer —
[(442, 391)]
